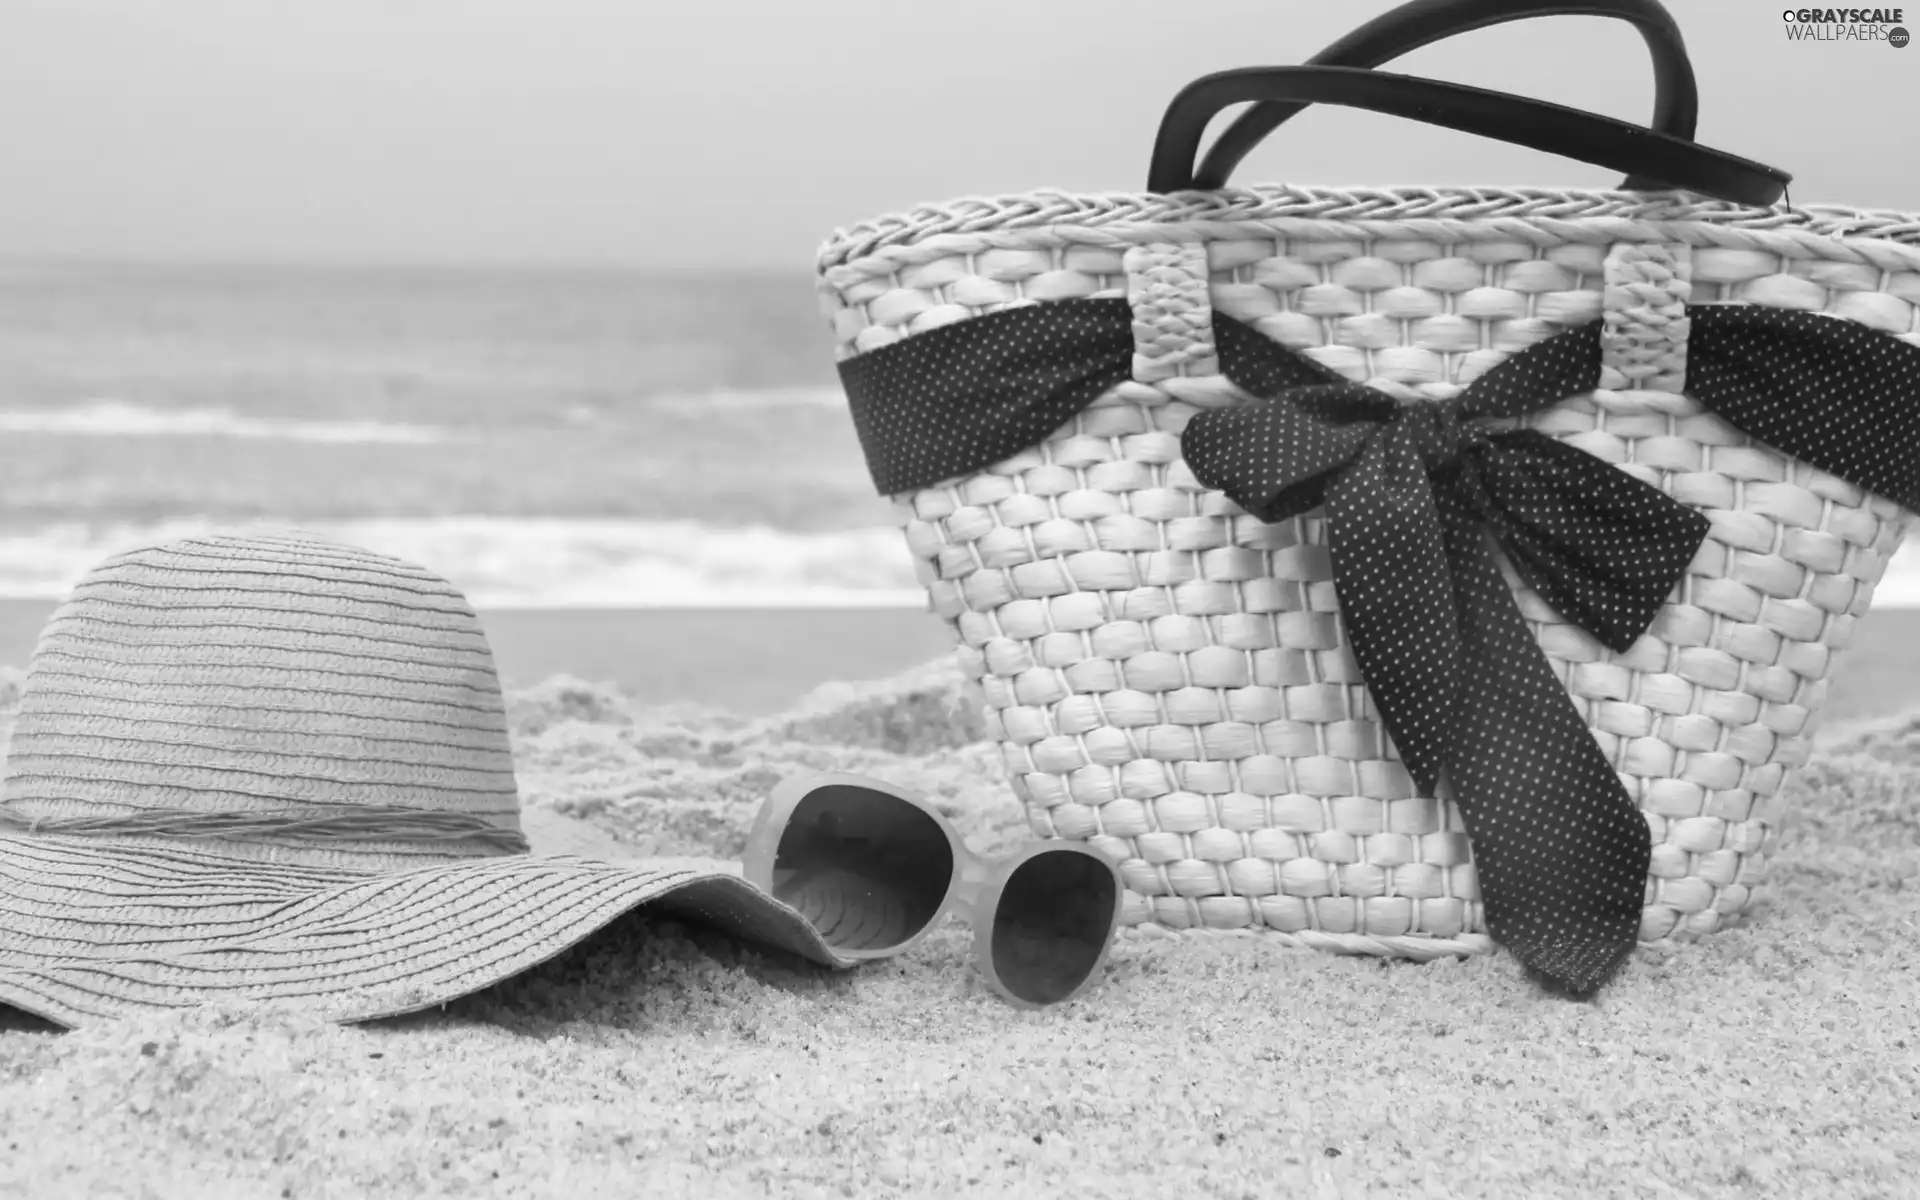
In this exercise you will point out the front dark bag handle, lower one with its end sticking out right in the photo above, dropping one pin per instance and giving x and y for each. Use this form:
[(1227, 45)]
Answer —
[(1533, 124)]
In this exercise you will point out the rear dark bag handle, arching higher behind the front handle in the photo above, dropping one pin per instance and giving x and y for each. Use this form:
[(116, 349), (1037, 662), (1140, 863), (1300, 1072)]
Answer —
[(1428, 22)]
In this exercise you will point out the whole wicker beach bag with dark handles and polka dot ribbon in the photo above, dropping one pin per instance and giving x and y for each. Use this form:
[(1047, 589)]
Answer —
[(1401, 571)]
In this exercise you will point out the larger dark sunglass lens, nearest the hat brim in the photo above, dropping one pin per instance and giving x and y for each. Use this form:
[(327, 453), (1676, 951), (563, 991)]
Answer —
[(867, 869)]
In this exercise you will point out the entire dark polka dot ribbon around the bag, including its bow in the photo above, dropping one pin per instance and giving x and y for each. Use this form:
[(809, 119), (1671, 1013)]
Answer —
[(1418, 498)]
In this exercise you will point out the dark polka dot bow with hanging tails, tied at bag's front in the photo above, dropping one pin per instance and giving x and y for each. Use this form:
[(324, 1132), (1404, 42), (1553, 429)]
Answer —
[(1418, 496)]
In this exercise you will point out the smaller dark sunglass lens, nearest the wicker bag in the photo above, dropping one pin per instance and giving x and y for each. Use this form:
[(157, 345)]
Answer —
[(1053, 924)]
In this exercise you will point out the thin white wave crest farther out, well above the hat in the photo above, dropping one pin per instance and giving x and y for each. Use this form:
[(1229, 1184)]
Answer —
[(118, 420)]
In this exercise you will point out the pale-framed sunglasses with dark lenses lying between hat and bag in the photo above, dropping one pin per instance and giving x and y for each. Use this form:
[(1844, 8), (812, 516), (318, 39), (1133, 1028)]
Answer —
[(876, 869)]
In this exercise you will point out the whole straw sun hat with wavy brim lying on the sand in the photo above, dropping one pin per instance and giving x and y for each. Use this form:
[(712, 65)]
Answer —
[(277, 767)]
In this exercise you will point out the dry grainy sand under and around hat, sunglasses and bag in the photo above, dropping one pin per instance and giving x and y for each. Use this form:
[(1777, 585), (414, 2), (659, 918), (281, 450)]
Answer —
[(656, 1059)]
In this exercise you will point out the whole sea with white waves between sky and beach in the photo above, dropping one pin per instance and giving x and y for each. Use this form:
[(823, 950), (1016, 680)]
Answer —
[(546, 439)]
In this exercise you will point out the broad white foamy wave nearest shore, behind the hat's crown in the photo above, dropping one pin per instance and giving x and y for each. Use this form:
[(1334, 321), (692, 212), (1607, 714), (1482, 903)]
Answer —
[(548, 564)]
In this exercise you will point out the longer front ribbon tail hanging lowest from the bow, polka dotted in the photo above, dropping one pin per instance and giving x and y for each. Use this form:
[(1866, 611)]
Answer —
[(1558, 844)]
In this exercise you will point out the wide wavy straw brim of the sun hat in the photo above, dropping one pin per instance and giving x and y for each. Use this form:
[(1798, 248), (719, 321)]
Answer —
[(93, 932)]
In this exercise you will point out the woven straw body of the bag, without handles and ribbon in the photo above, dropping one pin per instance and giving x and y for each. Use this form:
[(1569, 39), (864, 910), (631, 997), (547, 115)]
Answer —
[(1170, 679)]
